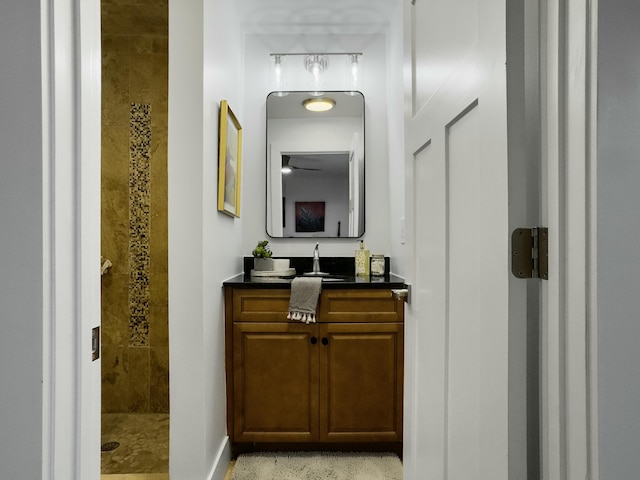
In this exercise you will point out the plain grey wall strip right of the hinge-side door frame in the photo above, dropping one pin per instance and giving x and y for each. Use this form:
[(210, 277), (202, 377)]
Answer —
[(618, 231)]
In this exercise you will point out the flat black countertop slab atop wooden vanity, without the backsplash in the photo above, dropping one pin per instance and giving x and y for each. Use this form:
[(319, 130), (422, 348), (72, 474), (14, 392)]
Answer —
[(244, 280)]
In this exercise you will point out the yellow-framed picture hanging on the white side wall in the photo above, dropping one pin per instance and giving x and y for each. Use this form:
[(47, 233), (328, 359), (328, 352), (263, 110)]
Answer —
[(229, 162)]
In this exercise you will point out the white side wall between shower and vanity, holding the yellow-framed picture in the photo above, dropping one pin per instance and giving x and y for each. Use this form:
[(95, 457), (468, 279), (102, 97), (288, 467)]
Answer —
[(205, 246)]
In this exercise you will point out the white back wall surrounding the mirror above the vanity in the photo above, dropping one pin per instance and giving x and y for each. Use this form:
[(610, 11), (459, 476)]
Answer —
[(257, 86)]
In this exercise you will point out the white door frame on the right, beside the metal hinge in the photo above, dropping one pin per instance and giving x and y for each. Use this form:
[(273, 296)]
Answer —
[(568, 323)]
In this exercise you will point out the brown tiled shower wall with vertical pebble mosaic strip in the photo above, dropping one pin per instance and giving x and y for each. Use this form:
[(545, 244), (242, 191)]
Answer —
[(135, 333)]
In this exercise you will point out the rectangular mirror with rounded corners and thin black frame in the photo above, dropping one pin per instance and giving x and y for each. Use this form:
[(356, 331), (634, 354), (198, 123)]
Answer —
[(315, 165)]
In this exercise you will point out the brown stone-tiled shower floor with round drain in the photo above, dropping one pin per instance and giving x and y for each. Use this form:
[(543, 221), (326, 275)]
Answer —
[(143, 439)]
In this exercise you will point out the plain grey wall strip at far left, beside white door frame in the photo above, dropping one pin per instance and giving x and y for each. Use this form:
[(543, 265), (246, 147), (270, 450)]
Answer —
[(21, 255)]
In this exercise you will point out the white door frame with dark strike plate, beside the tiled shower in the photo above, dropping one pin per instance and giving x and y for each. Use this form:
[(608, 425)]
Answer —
[(71, 73)]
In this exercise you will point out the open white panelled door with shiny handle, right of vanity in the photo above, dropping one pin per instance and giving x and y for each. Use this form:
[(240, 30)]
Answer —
[(460, 396)]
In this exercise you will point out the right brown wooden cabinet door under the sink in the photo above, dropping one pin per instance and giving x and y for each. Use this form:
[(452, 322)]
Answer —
[(361, 381)]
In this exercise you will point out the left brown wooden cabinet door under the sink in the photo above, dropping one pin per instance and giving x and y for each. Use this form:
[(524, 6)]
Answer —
[(275, 375)]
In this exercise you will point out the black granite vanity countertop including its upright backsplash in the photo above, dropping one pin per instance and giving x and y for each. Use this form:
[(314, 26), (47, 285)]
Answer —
[(341, 270)]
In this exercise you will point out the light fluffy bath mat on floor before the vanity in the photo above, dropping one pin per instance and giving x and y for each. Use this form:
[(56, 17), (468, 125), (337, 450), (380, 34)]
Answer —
[(317, 466)]
